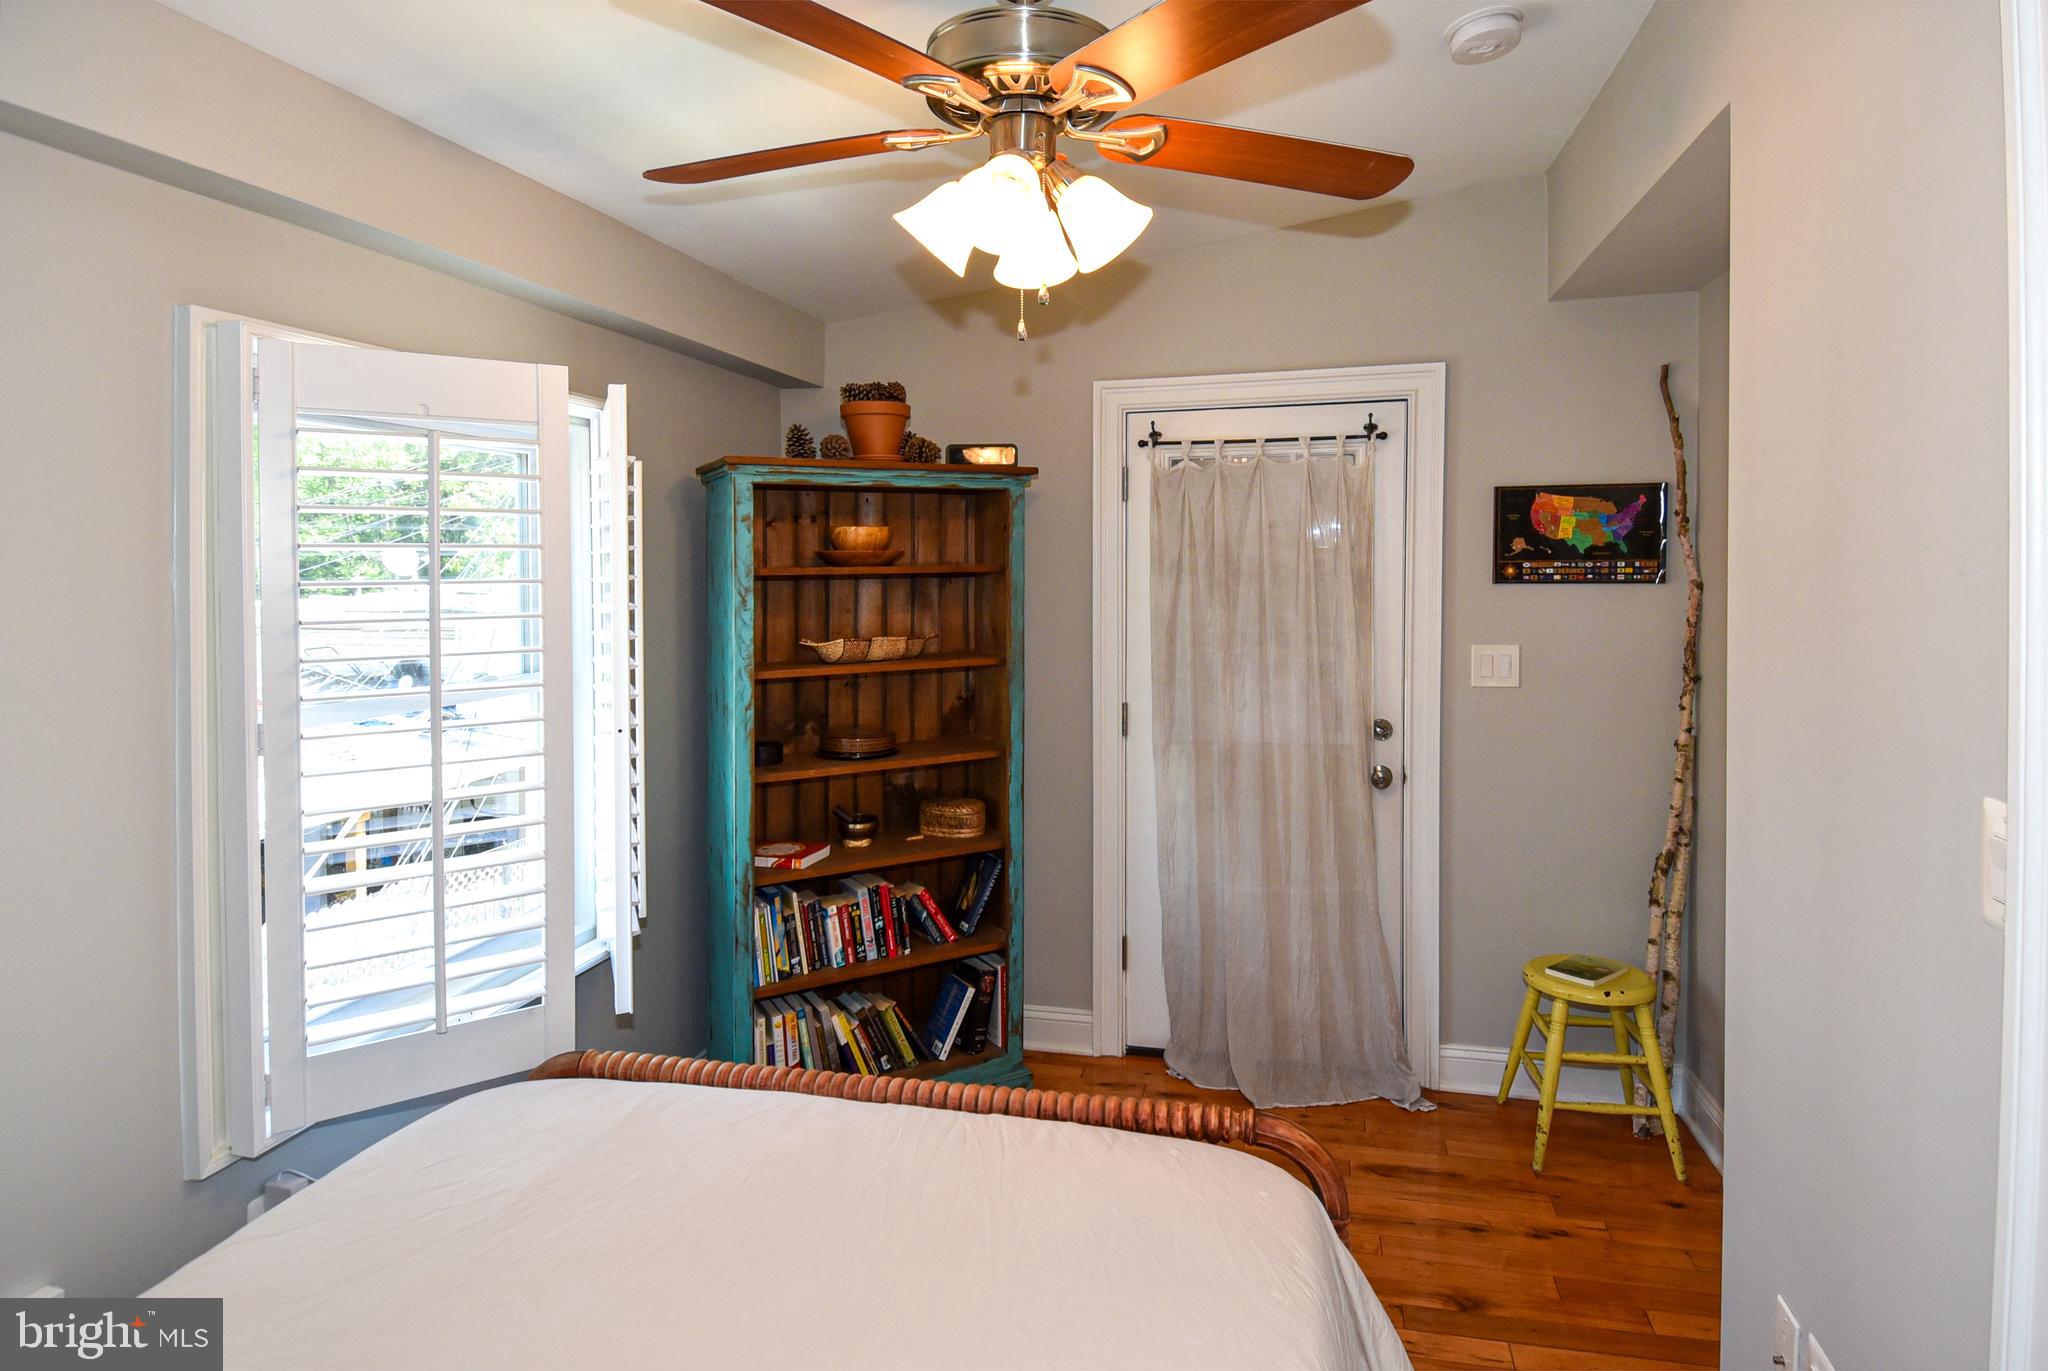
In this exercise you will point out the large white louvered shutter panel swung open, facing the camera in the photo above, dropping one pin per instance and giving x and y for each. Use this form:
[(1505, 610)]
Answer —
[(417, 833)]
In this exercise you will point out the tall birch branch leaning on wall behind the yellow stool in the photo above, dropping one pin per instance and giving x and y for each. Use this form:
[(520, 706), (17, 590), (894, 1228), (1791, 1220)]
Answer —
[(1672, 876)]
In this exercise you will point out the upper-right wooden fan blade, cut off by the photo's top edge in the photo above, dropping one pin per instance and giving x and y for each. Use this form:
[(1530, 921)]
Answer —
[(1179, 40)]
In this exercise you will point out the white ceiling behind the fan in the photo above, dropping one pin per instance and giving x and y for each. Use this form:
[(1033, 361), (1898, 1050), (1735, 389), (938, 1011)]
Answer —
[(583, 95)]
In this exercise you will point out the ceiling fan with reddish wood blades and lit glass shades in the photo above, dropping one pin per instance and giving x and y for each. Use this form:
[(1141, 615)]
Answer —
[(1027, 75)]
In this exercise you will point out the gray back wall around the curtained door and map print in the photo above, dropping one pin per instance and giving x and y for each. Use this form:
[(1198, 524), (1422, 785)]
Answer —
[(1537, 392)]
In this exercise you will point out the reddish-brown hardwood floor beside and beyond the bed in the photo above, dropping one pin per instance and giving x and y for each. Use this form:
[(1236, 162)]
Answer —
[(1605, 1261)]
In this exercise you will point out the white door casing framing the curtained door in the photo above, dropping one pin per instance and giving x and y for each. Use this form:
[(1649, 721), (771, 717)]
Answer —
[(1422, 388)]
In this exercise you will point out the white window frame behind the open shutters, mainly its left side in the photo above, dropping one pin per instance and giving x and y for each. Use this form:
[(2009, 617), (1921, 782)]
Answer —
[(212, 767)]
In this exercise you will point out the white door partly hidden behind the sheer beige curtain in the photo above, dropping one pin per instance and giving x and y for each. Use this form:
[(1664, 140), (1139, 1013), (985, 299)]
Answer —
[(1146, 1015)]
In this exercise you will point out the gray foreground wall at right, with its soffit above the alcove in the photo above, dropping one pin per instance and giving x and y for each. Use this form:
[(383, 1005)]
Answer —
[(1865, 645)]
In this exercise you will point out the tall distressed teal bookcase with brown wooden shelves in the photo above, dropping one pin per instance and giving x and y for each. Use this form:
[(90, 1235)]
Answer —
[(957, 712)]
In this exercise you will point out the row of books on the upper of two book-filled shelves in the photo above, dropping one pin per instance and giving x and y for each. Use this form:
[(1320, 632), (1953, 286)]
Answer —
[(859, 919)]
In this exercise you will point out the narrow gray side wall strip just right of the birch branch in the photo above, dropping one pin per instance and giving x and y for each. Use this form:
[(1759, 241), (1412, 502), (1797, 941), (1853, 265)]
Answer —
[(1707, 981)]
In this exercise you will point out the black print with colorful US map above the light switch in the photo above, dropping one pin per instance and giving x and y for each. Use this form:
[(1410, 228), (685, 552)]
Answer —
[(1578, 536)]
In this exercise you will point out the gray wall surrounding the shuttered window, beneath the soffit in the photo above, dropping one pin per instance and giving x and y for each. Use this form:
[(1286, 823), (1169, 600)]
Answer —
[(91, 265)]
